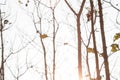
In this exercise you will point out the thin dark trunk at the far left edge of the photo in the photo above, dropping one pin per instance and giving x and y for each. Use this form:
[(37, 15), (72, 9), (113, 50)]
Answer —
[(2, 50)]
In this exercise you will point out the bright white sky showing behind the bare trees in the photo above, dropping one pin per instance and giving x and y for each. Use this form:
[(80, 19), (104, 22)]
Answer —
[(22, 31)]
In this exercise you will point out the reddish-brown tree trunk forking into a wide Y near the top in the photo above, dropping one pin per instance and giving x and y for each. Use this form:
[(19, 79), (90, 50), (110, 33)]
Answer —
[(78, 15)]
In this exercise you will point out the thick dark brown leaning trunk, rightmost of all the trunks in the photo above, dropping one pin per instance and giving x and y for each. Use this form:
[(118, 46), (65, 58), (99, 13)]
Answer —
[(103, 41)]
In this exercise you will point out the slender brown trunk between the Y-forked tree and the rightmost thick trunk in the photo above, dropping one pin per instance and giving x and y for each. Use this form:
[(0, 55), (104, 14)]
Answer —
[(94, 41)]
